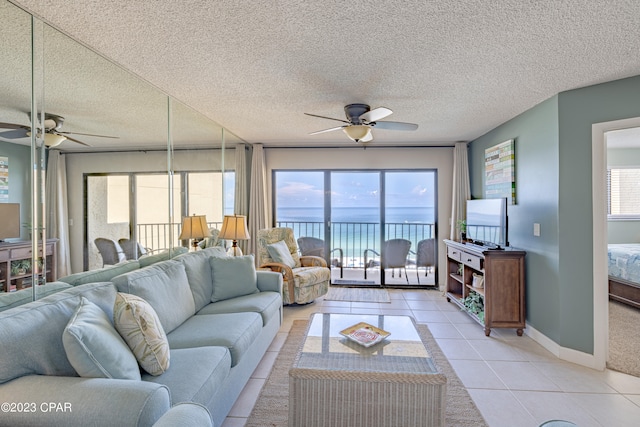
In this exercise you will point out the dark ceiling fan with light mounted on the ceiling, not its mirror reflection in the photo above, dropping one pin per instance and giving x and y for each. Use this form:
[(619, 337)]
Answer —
[(361, 119)]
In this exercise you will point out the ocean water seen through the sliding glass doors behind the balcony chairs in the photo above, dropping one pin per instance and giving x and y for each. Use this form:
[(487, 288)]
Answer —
[(356, 229)]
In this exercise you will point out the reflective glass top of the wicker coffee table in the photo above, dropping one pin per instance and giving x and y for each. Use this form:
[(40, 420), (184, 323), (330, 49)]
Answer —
[(324, 348)]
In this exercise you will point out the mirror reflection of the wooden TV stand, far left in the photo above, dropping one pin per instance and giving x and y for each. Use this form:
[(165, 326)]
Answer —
[(16, 251)]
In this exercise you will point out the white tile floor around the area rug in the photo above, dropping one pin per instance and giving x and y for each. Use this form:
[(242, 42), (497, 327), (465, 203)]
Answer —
[(513, 380)]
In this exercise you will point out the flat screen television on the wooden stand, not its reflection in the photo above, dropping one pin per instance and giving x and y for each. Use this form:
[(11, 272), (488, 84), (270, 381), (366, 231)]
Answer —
[(487, 222)]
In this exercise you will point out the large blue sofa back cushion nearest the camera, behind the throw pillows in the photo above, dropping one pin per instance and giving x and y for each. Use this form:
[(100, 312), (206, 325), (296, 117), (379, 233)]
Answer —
[(34, 331)]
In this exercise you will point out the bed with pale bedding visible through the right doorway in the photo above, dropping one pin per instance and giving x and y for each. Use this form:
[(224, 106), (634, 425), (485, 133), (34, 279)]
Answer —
[(624, 273)]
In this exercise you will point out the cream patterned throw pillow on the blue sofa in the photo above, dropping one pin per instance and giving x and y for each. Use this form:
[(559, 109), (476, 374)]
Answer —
[(138, 324)]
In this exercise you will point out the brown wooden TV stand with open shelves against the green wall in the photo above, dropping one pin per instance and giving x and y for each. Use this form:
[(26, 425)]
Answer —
[(503, 293)]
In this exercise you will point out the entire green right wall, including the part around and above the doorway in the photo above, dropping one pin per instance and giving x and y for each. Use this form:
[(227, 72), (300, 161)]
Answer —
[(553, 143)]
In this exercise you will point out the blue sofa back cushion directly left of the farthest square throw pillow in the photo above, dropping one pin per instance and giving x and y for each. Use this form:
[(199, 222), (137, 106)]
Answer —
[(198, 270)]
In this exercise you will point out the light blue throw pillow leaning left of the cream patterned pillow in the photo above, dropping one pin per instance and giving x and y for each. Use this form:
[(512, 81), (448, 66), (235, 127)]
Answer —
[(94, 348)]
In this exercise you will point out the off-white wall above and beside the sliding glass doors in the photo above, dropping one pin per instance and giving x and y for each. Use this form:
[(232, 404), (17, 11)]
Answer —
[(440, 159)]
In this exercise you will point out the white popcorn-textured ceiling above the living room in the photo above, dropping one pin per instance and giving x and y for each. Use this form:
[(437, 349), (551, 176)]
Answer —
[(456, 68)]
